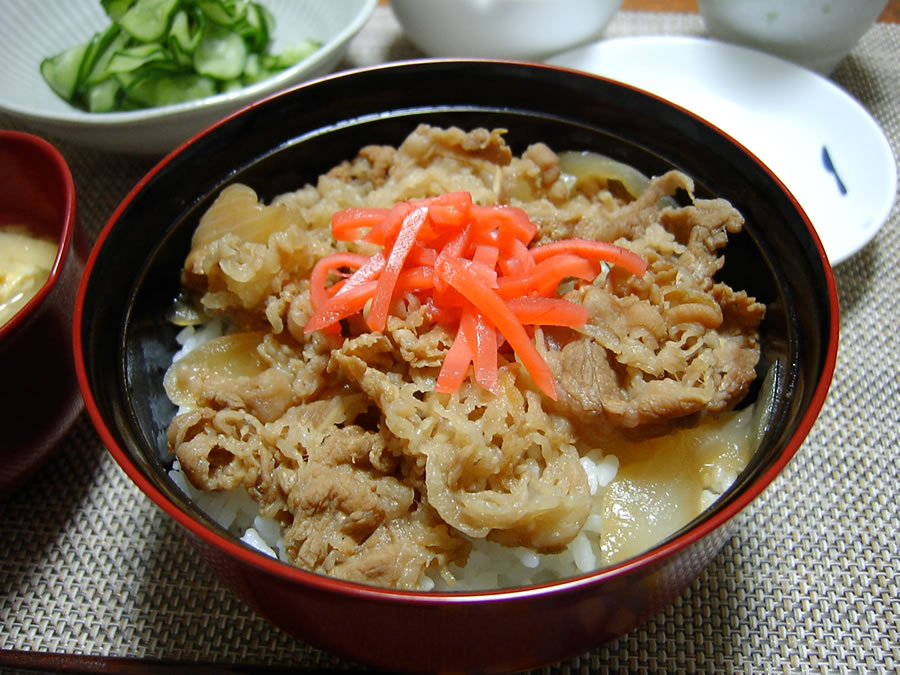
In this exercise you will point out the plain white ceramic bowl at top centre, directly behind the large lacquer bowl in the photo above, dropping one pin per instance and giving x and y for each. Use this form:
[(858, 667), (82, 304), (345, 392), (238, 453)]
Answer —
[(514, 29)]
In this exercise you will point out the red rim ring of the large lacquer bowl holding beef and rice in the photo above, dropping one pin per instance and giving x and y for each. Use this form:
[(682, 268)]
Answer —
[(285, 571)]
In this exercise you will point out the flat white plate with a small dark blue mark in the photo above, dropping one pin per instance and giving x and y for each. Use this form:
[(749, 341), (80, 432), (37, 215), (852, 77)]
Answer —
[(819, 141)]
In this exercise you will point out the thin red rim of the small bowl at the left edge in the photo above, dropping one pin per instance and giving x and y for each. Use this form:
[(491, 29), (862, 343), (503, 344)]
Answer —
[(67, 231)]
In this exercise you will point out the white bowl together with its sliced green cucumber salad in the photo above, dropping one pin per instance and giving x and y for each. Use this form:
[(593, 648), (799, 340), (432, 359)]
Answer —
[(36, 32)]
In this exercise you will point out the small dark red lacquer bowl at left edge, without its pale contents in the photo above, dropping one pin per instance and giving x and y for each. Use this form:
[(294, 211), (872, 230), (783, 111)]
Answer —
[(41, 398)]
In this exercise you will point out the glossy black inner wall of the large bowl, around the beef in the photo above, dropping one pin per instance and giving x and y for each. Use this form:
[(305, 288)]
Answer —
[(291, 139)]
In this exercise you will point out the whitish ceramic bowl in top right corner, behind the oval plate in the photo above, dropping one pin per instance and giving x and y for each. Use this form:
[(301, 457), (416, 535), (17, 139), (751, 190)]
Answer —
[(817, 34)]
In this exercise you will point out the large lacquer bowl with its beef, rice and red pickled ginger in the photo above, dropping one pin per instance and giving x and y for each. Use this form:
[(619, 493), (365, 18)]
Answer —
[(584, 159)]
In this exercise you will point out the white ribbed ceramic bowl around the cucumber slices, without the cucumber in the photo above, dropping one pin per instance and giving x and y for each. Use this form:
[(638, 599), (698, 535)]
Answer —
[(31, 31)]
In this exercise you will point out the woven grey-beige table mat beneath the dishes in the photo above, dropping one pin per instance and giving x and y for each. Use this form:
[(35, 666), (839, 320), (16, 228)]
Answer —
[(809, 582)]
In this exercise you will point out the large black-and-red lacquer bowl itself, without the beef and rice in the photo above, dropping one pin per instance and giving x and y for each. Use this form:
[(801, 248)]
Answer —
[(124, 344)]
